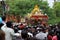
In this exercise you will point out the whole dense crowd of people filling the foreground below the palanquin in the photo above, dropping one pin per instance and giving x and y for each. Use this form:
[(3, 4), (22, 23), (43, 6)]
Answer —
[(10, 31)]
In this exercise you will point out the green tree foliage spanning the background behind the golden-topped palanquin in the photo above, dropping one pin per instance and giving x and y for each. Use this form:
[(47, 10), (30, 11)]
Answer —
[(22, 7)]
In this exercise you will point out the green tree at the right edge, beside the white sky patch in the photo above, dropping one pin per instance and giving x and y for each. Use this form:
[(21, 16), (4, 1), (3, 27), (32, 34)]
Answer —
[(56, 13)]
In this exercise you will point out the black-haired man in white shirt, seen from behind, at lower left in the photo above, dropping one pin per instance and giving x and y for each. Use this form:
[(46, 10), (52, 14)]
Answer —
[(9, 32)]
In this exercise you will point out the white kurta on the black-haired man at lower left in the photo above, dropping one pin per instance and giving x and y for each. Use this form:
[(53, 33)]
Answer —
[(8, 32)]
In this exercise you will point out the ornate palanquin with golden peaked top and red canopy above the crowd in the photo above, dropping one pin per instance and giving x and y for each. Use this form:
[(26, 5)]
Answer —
[(37, 15)]
